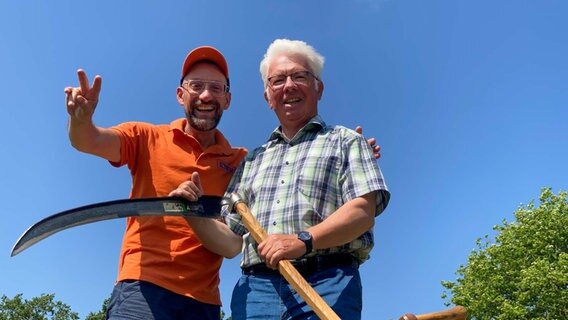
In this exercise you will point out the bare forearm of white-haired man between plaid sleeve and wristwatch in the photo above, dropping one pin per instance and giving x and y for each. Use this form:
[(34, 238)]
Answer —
[(346, 224)]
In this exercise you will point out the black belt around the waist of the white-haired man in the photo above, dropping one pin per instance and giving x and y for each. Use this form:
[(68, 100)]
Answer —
[(308, 266)]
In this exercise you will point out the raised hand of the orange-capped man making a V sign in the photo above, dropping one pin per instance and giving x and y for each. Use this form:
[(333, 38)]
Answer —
[(81, 101)]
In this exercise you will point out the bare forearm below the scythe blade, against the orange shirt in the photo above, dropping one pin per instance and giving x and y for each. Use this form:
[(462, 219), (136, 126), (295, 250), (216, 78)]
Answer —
[(216, 236)]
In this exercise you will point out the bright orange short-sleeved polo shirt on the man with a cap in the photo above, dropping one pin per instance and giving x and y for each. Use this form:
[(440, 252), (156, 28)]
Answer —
[(164, 250)]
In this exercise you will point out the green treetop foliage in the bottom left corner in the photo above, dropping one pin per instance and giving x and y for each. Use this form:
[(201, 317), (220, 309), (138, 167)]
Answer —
[(43, 307)]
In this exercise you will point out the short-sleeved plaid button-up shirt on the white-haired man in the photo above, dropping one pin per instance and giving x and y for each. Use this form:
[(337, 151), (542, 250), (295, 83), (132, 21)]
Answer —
[(291, 185)]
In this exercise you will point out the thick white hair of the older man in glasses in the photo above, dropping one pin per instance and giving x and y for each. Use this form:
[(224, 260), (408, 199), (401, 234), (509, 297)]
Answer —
[(280, 46)]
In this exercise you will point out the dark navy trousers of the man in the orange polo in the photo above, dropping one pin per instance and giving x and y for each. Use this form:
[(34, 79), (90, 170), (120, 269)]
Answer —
[(137, 300)]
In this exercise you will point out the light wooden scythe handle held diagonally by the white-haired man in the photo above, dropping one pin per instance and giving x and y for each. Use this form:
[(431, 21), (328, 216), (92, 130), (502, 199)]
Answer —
[(287, 270)]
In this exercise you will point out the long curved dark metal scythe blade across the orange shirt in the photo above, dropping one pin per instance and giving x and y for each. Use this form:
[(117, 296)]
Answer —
[(206, 206)]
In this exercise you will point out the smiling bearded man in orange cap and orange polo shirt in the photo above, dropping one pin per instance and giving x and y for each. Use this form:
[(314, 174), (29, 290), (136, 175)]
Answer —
[(164, 271)]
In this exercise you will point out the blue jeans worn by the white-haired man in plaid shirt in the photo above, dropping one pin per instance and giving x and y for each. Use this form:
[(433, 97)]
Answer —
[(265, 297)]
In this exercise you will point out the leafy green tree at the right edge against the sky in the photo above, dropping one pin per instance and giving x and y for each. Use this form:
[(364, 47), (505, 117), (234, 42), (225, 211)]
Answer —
[(523, 273)]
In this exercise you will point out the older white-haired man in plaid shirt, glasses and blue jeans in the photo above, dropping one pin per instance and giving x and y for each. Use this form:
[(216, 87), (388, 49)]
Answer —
[(316, 189)]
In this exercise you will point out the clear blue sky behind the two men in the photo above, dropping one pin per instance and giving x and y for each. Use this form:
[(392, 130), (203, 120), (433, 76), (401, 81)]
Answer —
[(468, 99)]
